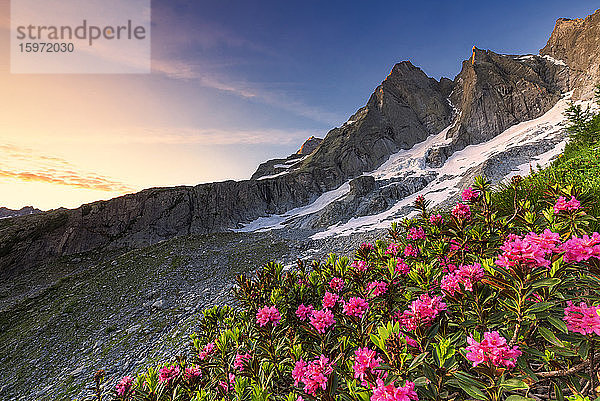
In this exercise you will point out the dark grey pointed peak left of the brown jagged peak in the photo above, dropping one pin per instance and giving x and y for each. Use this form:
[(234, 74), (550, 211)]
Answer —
[(407, 107)]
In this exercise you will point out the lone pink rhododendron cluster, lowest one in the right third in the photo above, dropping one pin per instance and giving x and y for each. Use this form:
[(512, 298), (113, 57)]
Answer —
[(493, 349)]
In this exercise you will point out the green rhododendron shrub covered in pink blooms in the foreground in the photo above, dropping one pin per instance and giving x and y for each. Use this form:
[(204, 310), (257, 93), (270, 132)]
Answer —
[(472, 304)]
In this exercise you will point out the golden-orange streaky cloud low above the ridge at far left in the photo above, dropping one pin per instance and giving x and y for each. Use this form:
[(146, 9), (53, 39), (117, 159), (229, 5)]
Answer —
[(24, 164)]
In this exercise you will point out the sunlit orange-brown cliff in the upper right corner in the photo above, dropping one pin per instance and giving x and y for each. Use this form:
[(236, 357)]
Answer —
[(576, 43)]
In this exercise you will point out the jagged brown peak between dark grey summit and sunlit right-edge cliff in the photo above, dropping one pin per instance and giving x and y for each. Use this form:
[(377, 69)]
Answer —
[(493, 92)]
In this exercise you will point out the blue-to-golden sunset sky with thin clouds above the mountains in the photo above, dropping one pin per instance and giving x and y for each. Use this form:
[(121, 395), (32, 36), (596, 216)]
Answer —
[(234, 83)]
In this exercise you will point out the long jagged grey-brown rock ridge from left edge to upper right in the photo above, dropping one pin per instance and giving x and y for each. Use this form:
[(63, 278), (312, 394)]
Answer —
[(490, 94)]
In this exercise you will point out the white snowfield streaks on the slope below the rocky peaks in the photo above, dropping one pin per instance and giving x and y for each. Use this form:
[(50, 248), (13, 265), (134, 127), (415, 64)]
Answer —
[(412, 163)]
